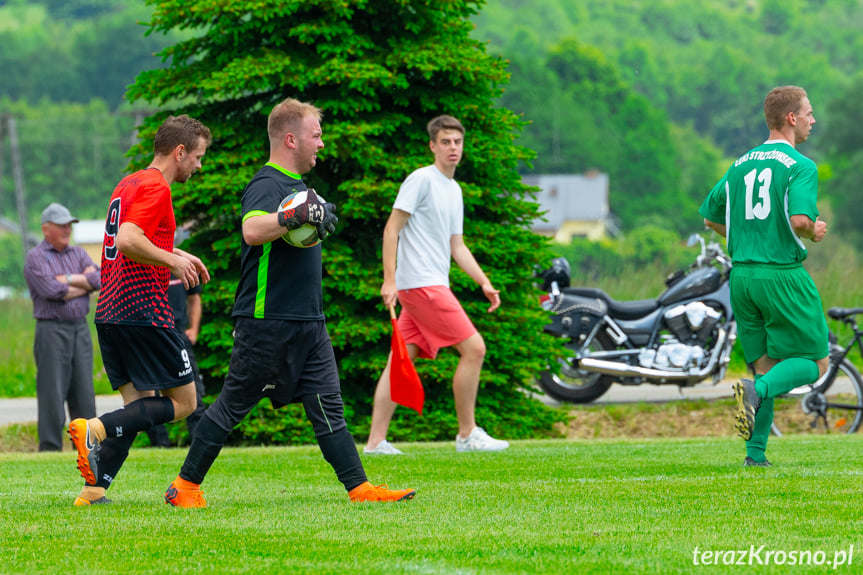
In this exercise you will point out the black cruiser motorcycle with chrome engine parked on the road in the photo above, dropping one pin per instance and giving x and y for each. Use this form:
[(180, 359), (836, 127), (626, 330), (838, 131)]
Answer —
[(682, 337)]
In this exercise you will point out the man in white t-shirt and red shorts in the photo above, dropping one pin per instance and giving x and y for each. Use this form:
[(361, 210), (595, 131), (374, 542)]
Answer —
[(425, 232)]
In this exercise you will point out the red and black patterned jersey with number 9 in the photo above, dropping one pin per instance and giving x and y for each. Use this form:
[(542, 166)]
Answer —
[(134, 293)]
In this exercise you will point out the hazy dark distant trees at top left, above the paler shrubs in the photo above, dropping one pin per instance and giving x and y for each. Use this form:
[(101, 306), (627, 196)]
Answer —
[(75, 50)]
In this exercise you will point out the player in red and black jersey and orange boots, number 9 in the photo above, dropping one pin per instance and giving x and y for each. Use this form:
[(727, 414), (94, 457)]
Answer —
[(141, 351)]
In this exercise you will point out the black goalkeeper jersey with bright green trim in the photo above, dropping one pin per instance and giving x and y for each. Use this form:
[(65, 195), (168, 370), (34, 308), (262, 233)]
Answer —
[(278, 280)]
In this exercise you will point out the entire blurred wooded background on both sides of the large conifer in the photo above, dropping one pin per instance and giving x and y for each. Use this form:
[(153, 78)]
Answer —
[(656, 94)]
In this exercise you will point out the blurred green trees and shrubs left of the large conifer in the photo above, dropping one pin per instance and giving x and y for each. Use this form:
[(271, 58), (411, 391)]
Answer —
[(64, 69)]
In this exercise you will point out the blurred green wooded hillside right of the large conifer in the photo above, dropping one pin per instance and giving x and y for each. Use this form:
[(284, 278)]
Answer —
[(658, 93)]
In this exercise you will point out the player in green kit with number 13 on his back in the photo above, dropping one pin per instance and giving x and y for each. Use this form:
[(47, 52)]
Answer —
[(765, 206)]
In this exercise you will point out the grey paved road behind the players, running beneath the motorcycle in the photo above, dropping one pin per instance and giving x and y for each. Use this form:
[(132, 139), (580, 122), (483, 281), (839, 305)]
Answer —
[(23, 410)]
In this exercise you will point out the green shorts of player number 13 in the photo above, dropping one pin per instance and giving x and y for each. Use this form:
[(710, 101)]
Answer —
[(778, 312)]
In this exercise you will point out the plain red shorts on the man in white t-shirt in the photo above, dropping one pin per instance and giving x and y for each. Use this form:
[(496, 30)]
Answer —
[(432, 318)]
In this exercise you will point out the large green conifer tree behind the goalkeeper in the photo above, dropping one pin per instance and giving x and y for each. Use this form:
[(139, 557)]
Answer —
[(379, 69)]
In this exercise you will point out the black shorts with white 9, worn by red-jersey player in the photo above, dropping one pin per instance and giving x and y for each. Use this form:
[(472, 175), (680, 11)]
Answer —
[(151, 358)]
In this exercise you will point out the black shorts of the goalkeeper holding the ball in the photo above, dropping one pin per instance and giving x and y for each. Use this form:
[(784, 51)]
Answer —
[(279, 359)]
